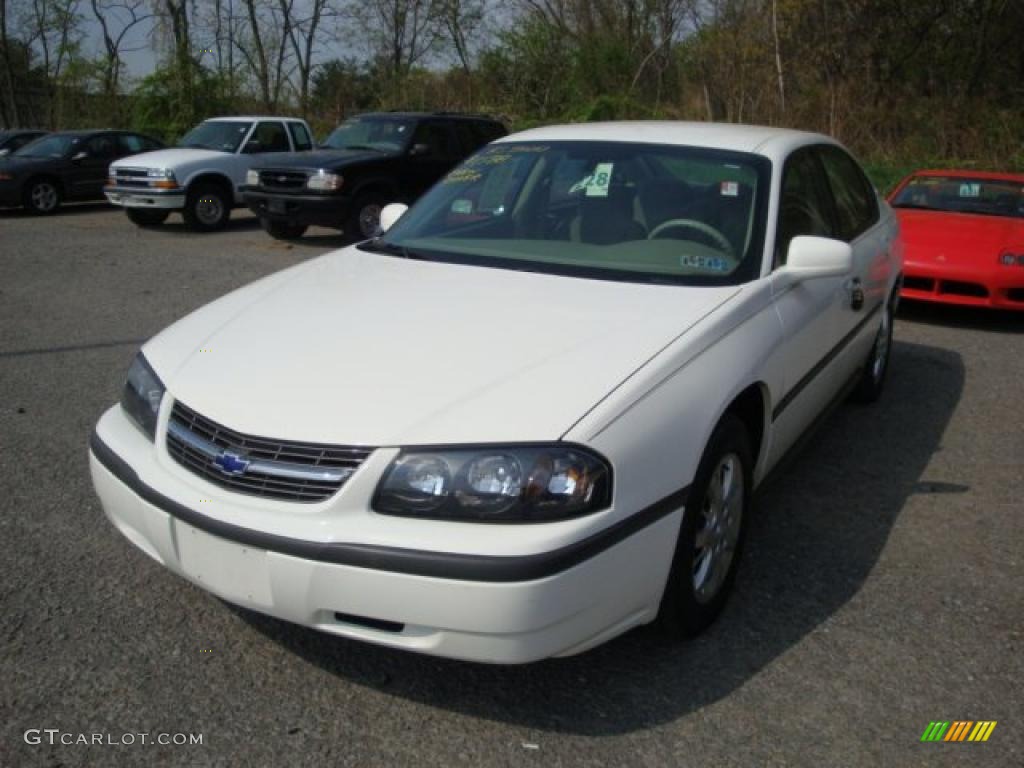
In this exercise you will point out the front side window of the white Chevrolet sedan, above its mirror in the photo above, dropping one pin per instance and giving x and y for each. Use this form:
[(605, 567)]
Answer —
[(805, 205)]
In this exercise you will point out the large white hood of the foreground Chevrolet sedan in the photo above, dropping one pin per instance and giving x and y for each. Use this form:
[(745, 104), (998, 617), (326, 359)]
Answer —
[(363, 349)]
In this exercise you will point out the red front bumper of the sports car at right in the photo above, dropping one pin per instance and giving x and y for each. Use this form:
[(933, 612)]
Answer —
[(998, 288)]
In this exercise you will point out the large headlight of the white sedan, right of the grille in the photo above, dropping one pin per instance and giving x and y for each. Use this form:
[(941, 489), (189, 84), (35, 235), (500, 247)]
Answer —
[(515, 484)]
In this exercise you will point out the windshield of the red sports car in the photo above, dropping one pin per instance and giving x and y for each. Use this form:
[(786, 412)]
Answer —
[(963, 195)]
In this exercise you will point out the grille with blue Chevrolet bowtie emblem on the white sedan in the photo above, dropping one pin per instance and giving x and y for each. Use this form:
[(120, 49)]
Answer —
[(275, 470)]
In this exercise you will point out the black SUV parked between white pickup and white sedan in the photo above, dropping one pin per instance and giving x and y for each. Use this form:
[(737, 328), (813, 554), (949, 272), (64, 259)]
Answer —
[(366, 163)]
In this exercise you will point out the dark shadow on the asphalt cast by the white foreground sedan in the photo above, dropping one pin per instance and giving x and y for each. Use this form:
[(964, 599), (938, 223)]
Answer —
[(821, 527)]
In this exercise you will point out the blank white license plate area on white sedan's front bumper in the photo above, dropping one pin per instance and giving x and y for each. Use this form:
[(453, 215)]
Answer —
[(230, 570)]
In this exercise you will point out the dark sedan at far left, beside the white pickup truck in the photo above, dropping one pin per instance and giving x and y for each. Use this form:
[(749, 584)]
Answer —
[(65, 166)]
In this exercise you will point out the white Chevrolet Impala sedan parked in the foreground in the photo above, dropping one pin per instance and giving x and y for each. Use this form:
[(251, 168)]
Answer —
[(530, 416)]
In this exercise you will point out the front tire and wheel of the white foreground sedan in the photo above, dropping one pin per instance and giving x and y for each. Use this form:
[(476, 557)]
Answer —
[(711, 538)]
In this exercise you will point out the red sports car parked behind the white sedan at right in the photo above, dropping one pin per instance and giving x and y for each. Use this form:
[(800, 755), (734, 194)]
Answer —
[(963, 238)]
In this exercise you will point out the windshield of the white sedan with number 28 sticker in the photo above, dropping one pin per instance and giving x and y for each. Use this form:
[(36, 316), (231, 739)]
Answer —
[(609, 210)]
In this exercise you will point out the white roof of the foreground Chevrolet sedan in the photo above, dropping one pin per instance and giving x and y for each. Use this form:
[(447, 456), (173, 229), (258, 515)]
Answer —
[(752, 139)]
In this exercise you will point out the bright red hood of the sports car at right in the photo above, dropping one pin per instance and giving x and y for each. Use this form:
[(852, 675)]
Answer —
[(963, 239)]
